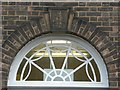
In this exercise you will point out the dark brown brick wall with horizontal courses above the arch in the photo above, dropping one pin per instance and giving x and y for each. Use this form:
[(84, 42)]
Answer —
[(102, 14)]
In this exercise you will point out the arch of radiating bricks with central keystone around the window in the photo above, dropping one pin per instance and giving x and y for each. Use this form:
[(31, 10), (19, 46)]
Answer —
[(48, 23)]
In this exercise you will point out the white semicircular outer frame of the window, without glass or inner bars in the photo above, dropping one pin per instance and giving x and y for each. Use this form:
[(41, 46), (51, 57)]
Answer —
[(35, 42)]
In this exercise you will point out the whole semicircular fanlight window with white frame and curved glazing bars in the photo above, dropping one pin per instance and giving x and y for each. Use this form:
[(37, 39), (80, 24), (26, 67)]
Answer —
[(58, 61)]
